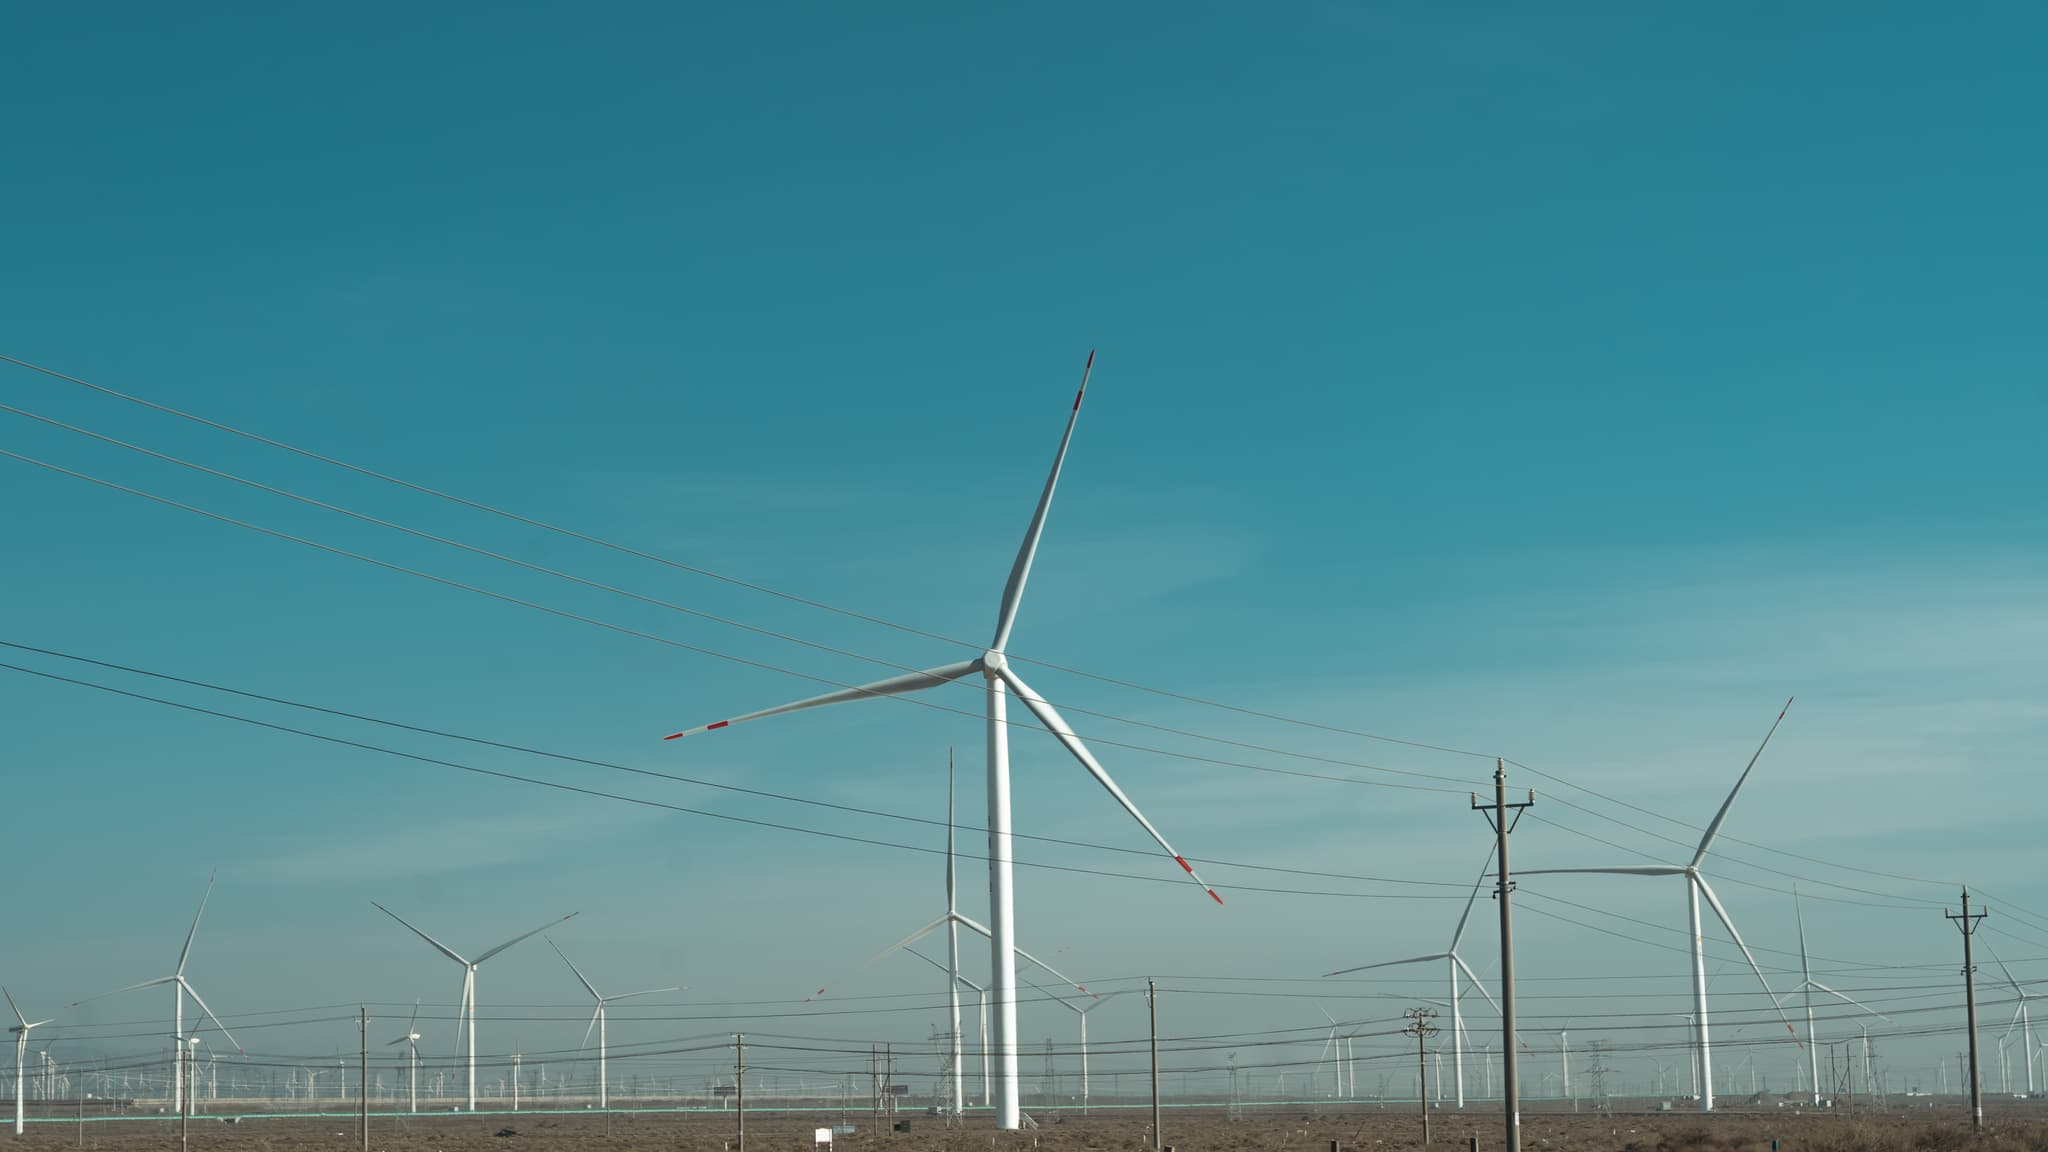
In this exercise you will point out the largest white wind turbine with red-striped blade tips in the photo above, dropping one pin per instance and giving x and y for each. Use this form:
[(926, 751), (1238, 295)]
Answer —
[(1002, 680)]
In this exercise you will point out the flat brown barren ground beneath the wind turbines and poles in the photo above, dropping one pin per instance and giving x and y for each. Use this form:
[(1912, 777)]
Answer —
[(2020, 1126)]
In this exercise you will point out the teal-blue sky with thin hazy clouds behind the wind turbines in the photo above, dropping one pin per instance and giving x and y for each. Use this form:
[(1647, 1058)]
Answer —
[(1564, 384)]
